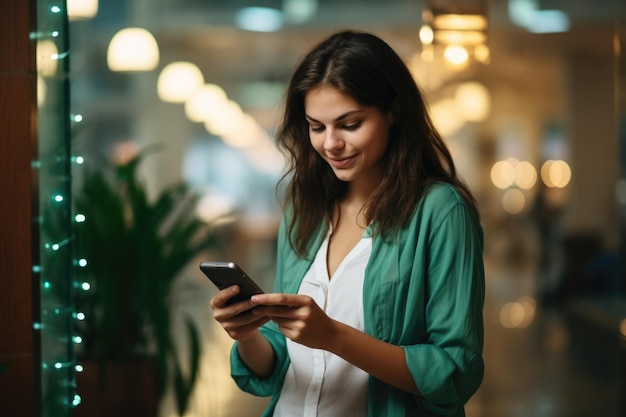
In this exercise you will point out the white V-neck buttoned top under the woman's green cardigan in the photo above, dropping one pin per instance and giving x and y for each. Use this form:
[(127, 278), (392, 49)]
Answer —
[(319, 383)]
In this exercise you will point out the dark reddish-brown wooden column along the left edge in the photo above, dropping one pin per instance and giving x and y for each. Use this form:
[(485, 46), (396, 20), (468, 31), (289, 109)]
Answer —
[(19, 344)]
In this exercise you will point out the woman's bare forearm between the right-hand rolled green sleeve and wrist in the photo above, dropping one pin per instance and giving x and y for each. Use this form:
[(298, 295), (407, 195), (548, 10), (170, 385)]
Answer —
[(382, 360)]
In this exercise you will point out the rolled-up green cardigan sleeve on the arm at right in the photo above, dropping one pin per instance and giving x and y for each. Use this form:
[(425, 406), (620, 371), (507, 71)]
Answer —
[(448, 367)]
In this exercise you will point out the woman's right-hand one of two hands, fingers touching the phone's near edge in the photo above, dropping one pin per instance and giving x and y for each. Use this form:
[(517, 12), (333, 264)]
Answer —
[(298, 317)]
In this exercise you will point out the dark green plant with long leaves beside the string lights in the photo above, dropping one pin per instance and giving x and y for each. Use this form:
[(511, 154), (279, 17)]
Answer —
[(135, 248)]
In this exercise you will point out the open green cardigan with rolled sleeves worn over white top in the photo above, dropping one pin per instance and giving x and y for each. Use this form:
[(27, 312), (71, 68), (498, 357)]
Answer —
[(424, 291)]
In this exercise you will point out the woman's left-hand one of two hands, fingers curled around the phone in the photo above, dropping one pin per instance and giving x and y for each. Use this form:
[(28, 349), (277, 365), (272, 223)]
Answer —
[(236, 319)]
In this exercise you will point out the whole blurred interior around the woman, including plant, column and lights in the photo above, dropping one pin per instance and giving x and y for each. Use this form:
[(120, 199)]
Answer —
[(529, 96)]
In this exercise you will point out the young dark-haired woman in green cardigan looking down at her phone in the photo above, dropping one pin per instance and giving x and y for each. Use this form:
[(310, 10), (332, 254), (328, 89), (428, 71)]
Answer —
[(379, 287)]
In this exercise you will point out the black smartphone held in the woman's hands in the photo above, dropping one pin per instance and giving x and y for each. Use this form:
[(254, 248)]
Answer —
[(225, 274)]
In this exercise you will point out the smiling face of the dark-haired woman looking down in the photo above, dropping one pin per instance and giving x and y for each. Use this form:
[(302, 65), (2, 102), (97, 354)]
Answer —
[(352, 138)]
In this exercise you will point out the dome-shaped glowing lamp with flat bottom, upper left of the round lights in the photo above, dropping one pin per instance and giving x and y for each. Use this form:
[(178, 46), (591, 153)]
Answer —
[(133, 49)]
